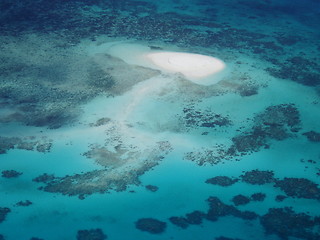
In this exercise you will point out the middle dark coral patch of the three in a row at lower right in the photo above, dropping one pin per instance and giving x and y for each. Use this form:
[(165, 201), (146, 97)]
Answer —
[(257, 177)]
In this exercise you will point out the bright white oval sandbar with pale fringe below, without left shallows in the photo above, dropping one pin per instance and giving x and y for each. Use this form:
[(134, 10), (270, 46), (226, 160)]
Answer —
[(192, 66)]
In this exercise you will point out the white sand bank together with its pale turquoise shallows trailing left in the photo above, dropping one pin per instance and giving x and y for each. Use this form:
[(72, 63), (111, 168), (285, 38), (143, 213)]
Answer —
[(200, 69)]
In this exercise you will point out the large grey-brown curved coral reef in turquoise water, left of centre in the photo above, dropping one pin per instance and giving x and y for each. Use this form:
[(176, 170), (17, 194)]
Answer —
[(122, 168)]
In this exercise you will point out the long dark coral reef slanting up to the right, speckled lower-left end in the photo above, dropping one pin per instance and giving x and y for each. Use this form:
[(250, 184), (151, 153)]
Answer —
[(276, 122)]
